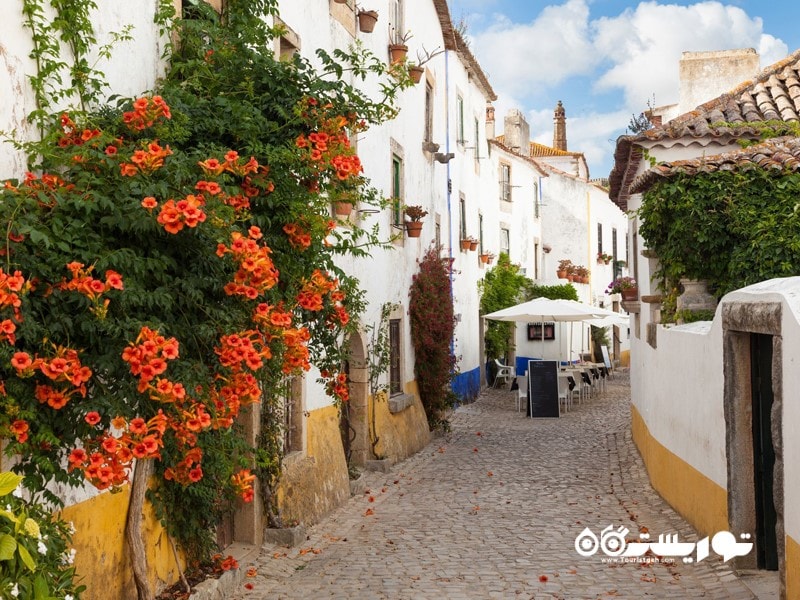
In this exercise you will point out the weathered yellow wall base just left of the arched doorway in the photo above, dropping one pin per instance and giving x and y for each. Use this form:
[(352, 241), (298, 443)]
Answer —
[(314, 483)]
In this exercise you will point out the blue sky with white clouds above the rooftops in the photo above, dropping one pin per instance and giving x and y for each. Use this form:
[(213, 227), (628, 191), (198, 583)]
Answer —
[(605, 59)]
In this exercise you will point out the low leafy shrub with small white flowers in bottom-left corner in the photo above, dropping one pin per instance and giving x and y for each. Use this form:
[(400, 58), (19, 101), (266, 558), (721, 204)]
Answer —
[(35, 558)]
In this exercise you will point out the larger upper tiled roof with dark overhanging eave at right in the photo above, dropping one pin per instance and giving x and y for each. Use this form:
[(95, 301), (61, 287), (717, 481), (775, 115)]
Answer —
[(774, 95)]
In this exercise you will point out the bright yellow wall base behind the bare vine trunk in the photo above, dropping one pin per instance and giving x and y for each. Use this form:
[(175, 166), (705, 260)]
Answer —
[(101, 558)]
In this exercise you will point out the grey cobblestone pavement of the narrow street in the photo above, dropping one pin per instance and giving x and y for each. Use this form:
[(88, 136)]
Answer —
[(492, 510)]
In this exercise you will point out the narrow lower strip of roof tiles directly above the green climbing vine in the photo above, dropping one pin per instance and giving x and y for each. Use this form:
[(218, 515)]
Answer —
[(777, 153)]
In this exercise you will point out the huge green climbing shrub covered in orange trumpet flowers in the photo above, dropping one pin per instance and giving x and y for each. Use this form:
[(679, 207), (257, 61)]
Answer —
[(199, 262)]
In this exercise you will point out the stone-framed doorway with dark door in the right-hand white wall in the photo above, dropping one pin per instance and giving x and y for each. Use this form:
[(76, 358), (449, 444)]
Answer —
[(753, 406)]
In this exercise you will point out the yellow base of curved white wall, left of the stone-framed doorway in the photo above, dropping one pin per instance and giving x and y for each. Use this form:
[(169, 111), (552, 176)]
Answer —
[(699, 500)]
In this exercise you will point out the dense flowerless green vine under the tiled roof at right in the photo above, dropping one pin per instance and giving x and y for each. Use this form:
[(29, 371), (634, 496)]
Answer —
[(730, 228)]
